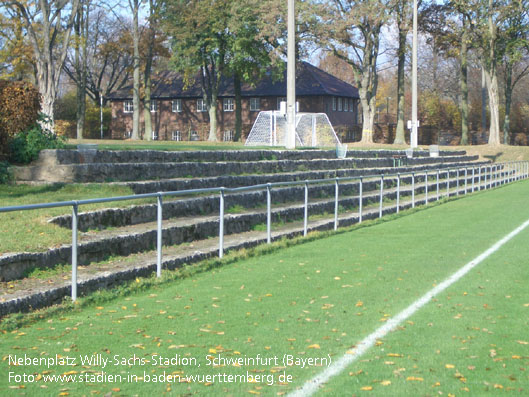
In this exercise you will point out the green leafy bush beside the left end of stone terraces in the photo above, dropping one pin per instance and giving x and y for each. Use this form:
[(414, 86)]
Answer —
[(25, 146)]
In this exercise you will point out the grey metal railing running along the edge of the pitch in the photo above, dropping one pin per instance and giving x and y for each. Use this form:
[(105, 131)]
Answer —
[(493, 176)]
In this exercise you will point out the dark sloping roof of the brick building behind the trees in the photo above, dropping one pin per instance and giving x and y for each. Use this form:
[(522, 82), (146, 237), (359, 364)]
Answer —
[(310, 81)]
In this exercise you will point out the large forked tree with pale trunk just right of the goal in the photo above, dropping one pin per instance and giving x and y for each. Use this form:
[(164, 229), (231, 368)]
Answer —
[(354, 35)]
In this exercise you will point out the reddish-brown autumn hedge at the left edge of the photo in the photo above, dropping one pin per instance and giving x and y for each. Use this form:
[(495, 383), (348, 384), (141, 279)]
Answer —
[(19, 109)]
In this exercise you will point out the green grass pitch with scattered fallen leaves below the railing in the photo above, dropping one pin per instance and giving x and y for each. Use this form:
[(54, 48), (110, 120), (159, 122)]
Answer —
[(309, 303)]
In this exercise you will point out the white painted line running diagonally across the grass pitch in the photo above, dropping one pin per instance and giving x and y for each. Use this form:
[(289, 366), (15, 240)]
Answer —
[(311, 386)]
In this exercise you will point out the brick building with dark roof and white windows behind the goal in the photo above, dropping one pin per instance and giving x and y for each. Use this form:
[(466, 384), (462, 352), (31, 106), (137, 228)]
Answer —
[(179, 113)]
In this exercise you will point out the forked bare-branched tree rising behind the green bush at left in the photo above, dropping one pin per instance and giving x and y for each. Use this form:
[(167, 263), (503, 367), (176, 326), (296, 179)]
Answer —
[(48, 24)]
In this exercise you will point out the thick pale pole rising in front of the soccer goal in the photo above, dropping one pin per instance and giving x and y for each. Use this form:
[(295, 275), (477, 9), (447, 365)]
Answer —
[(291, 76)]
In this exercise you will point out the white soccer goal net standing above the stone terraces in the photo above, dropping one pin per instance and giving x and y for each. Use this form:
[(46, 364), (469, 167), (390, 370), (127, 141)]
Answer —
[(312, 129)]
